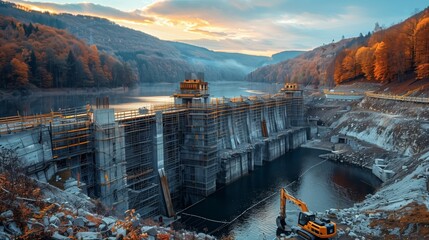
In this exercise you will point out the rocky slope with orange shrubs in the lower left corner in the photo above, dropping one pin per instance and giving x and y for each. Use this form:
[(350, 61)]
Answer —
[(35, 210)]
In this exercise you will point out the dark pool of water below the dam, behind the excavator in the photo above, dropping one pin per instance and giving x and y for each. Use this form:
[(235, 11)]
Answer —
[(321, 184)]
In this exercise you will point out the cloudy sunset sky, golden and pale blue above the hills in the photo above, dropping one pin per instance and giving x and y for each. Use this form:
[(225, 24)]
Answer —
[(258, 27)]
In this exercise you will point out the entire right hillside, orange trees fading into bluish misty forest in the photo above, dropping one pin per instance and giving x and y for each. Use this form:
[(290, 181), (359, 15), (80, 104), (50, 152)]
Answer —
[(397, 56)]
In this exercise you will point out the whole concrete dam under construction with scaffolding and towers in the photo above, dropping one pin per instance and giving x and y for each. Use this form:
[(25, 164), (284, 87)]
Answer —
[(161, 159)]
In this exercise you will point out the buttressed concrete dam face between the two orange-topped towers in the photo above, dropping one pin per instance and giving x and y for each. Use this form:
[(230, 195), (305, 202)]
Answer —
[(241, 144)]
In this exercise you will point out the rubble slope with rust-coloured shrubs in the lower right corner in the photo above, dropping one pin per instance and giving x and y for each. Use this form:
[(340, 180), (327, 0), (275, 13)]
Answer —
[(399, 209)]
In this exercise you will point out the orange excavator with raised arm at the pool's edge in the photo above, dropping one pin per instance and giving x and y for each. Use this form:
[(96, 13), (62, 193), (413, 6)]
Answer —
[(309, 227)]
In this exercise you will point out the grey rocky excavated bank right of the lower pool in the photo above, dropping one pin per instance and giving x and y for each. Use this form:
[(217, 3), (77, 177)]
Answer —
[(396, 132)]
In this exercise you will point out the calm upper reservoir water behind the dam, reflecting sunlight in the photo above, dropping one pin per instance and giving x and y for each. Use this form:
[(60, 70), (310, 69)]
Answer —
[(143, 96)]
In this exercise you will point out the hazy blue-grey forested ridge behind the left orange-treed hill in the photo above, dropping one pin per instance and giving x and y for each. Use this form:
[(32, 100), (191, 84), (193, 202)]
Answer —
[(152, 59)]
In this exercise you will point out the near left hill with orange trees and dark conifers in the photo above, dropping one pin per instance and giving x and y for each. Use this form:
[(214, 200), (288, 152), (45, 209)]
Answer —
[(51, 58)]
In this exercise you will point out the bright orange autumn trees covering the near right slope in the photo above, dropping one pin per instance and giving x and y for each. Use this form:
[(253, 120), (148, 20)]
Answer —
[(398, 53)]
